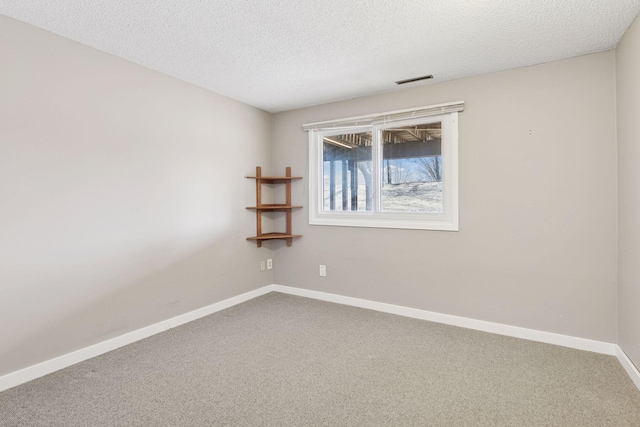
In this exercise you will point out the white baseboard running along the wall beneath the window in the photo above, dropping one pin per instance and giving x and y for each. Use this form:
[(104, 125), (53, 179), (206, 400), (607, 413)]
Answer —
[(464, 322)]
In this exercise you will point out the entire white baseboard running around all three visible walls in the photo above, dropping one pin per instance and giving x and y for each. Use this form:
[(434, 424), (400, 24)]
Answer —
[(32, 372)]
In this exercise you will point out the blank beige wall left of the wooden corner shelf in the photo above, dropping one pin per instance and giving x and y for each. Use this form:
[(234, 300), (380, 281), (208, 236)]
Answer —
[(121, 196)]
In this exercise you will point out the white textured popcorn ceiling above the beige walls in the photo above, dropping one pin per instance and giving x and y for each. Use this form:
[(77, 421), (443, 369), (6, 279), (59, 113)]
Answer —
[(284, 54)]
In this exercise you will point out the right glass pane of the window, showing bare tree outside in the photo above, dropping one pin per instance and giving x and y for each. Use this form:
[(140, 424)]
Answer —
[(412, 168)]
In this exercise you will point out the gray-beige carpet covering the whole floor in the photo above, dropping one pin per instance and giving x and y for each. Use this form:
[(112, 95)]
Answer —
[(281, 360)]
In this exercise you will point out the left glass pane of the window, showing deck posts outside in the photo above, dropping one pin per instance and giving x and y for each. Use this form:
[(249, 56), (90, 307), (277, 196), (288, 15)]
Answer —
[(347, 172)]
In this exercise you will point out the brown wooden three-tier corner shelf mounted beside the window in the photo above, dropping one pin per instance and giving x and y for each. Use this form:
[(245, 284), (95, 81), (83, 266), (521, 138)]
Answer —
[(286, 207)]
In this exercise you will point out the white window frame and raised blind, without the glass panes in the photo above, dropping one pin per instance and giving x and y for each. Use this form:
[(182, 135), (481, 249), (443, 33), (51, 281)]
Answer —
[(447, 114)]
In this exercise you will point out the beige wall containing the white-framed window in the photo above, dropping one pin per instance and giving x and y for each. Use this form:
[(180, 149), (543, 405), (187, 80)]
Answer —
[(537, 245)]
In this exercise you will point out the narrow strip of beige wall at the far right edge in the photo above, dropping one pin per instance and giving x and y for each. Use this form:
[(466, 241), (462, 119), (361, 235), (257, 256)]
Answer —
[(628, 110)]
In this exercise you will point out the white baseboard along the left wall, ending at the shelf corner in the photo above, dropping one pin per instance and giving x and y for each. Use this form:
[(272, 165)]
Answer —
[(41, 369)]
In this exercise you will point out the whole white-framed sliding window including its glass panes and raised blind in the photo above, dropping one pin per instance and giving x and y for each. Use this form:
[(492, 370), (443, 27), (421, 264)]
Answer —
[(391, 170)]
